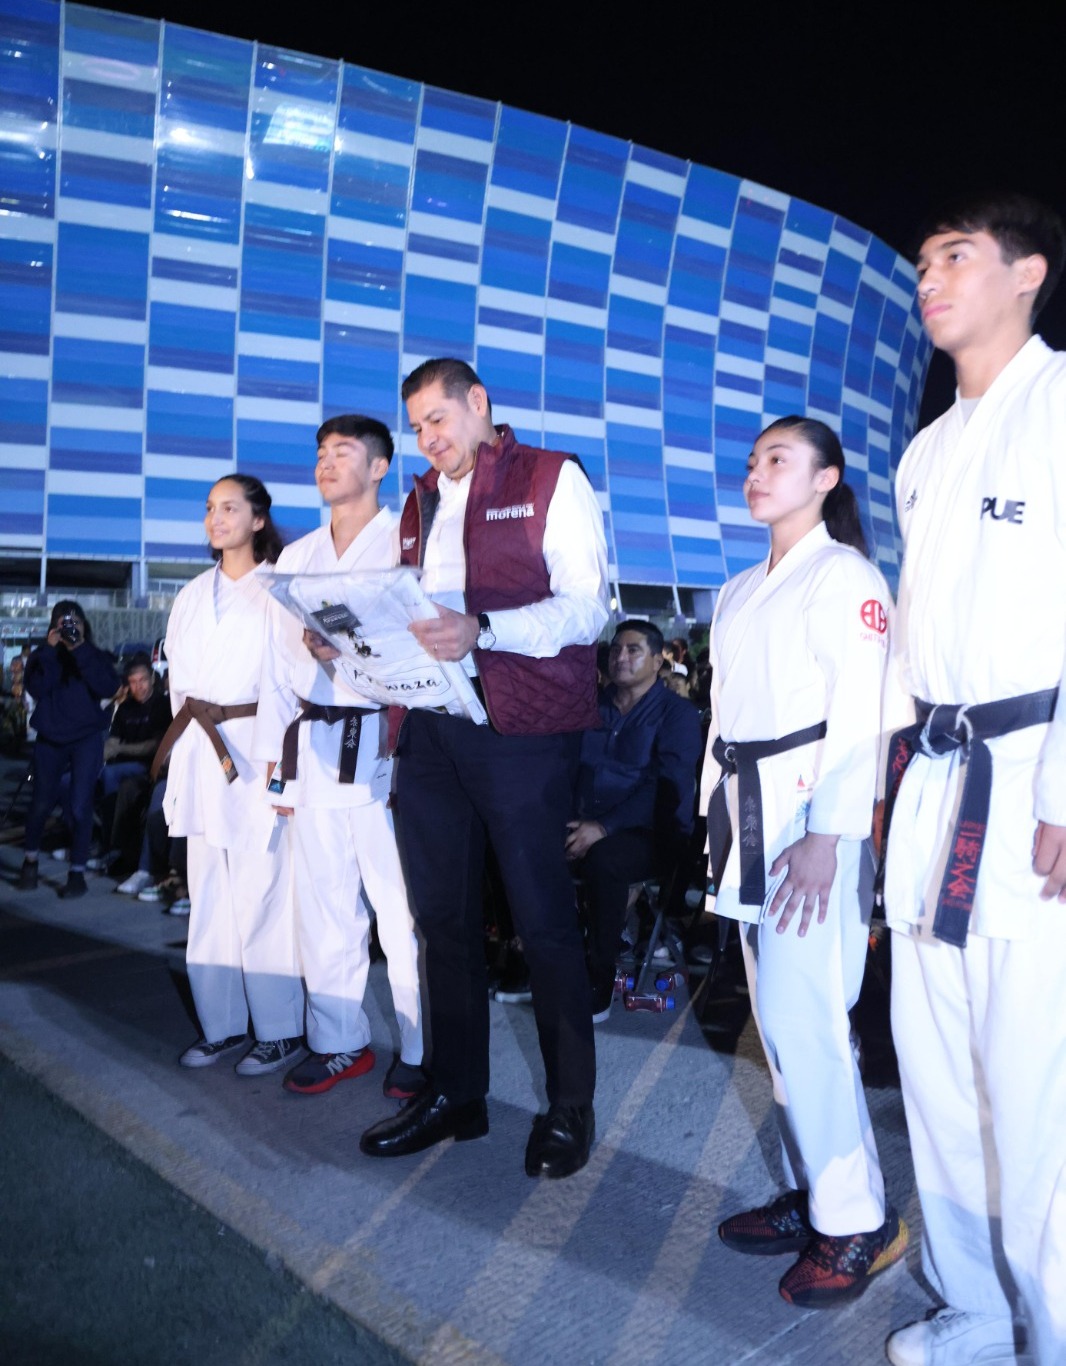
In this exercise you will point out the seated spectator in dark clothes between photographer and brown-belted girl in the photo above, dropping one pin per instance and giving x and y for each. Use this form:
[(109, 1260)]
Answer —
[(140, 723)]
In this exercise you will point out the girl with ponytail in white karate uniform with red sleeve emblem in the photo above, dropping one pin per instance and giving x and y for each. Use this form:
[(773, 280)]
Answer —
[(799, 648)]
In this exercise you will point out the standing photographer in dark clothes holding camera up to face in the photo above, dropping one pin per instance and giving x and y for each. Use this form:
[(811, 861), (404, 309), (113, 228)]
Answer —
[(70, 681)]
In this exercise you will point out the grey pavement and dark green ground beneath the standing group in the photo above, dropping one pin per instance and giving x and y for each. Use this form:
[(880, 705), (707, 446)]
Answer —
[(452, 1256)]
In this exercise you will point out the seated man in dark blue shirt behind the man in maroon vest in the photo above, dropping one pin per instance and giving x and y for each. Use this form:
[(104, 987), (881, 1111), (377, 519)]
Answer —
[(636, 794)]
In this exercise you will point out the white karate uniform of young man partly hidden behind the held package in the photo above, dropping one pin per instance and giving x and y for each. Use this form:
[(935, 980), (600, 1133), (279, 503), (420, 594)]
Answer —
[(345, 845)]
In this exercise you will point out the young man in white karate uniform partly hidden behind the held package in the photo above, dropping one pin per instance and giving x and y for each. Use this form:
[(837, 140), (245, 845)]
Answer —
[(345, 848)]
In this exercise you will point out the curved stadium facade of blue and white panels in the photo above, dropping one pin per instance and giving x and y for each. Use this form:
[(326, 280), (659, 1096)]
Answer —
[(207, 245)]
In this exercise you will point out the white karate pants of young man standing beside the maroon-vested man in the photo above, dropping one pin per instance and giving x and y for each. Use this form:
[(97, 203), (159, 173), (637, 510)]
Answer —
[(346, 857)]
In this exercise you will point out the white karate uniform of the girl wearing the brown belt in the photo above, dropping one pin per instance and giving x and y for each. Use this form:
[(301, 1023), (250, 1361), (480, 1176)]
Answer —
[(241, 953)]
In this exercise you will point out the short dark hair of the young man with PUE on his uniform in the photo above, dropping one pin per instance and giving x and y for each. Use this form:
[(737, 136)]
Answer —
[(1022, 226)]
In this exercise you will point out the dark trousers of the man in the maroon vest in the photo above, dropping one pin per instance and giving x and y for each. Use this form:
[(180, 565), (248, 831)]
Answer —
[(460, 785)]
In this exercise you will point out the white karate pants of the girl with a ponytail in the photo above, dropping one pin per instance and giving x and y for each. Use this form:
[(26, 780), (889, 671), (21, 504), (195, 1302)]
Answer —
[(802, 992)]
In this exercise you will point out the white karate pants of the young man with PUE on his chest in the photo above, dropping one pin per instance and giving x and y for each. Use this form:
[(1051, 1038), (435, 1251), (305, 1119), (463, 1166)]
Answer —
[(982, 1042)]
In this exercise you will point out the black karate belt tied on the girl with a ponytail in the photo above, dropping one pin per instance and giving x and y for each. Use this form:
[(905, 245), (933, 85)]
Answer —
[(741, 757)]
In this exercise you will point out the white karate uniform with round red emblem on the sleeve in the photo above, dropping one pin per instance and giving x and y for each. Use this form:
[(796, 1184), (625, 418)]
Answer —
[(789, 650)]
